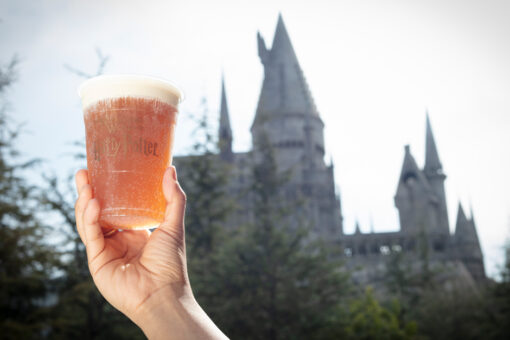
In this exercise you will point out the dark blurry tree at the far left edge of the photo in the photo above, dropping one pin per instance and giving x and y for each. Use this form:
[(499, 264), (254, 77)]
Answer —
[(27, 263)]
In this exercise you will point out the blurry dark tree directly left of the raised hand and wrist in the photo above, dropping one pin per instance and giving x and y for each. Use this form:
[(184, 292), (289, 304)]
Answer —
[(80, 312)]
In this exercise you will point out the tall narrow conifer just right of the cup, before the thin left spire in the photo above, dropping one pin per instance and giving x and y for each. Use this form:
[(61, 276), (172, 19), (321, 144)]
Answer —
[(204, 178)]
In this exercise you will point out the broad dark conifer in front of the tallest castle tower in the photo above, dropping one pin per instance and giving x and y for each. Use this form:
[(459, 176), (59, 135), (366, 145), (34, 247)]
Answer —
[(271, 280)]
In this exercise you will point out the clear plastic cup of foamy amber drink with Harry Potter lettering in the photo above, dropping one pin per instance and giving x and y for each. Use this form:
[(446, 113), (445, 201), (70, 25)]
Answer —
[(129, 125)]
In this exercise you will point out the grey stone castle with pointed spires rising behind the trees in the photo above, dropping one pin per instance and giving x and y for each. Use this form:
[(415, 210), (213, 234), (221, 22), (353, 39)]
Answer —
[(287, 116)]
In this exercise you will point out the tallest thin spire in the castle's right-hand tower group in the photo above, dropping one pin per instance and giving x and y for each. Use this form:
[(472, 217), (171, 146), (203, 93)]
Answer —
[(433, 170)]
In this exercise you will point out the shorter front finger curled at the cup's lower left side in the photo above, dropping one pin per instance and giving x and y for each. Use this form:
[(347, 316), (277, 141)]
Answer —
[(94, 238)]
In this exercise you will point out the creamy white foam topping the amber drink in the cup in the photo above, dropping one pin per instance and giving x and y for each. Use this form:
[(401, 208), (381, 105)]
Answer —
[(117, 86)]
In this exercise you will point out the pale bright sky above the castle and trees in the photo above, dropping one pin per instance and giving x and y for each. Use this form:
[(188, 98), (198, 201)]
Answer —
[(374, 67)]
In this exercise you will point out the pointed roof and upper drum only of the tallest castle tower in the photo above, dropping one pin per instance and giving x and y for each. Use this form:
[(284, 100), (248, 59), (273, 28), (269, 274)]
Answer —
[(286, 113)]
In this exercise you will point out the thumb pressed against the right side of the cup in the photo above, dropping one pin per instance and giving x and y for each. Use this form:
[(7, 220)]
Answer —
[(175, 203)]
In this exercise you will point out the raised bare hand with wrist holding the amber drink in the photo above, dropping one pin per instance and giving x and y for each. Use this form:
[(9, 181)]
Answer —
[(141, 274)]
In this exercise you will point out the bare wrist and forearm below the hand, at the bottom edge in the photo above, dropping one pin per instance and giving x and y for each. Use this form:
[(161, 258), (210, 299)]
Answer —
[(175, 315)]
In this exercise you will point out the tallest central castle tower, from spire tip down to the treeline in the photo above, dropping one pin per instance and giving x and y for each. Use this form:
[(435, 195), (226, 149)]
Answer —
[(287, 119)]
